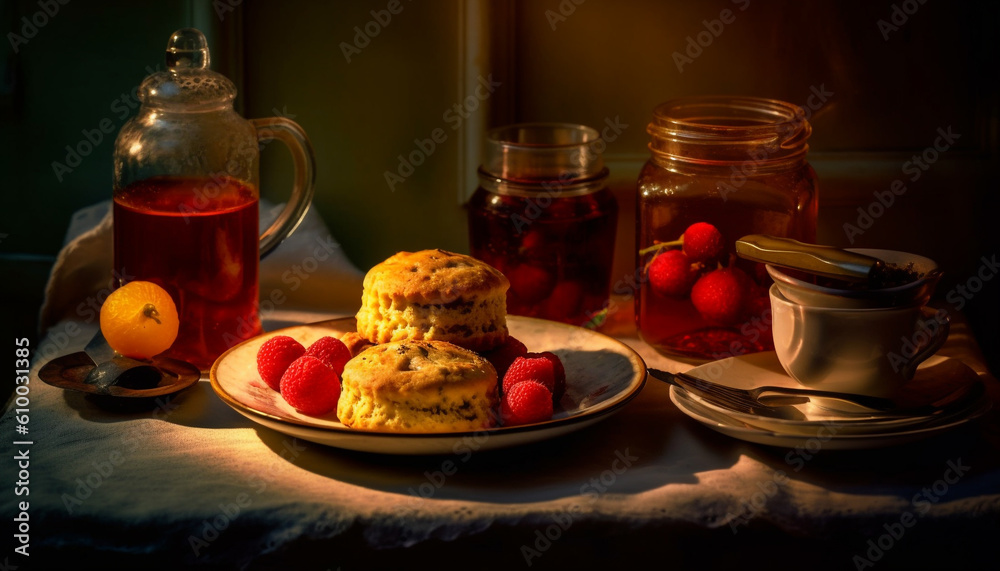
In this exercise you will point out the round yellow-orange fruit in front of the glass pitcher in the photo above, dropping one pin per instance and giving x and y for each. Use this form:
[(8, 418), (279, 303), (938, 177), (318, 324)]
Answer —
[(139, 320)]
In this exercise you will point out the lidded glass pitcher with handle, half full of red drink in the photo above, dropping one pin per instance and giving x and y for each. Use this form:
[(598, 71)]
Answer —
[(186, 176)]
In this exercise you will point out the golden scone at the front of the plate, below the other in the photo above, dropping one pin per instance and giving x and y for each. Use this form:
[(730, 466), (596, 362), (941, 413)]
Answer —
[(418, 386)]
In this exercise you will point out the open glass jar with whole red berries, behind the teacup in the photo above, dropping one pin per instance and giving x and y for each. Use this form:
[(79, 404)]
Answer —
[(738, 164)]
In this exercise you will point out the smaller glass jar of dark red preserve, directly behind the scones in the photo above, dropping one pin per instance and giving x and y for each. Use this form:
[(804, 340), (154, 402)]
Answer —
[(543, 216)]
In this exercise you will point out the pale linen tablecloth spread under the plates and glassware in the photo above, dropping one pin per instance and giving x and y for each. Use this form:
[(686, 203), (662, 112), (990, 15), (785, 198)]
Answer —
[(195, 484)]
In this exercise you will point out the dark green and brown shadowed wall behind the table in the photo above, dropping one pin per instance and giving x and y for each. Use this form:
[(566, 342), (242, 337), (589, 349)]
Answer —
[(887, 89)]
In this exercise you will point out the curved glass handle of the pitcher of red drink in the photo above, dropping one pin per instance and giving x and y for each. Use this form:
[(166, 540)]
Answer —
[(289, 132)]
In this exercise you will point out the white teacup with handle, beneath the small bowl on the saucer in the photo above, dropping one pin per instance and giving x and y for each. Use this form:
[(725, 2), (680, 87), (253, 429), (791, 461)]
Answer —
[(861, 351)]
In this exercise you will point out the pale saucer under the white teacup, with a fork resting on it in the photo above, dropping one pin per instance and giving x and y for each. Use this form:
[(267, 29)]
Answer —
[(936, 378)]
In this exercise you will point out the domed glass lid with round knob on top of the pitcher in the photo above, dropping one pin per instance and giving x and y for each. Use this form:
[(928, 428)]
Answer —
[(188, 81)]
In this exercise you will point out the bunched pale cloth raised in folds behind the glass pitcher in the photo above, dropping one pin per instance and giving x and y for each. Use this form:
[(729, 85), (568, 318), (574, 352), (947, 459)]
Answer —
[(308, 271)]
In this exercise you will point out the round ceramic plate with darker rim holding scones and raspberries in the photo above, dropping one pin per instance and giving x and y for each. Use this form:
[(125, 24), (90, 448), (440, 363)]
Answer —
[(602, 374)]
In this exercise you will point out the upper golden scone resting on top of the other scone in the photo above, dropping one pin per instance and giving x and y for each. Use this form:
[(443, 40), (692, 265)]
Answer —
[(435, 295)]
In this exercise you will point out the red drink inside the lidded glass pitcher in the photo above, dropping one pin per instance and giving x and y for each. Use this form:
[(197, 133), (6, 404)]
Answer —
[(198, 239)]
